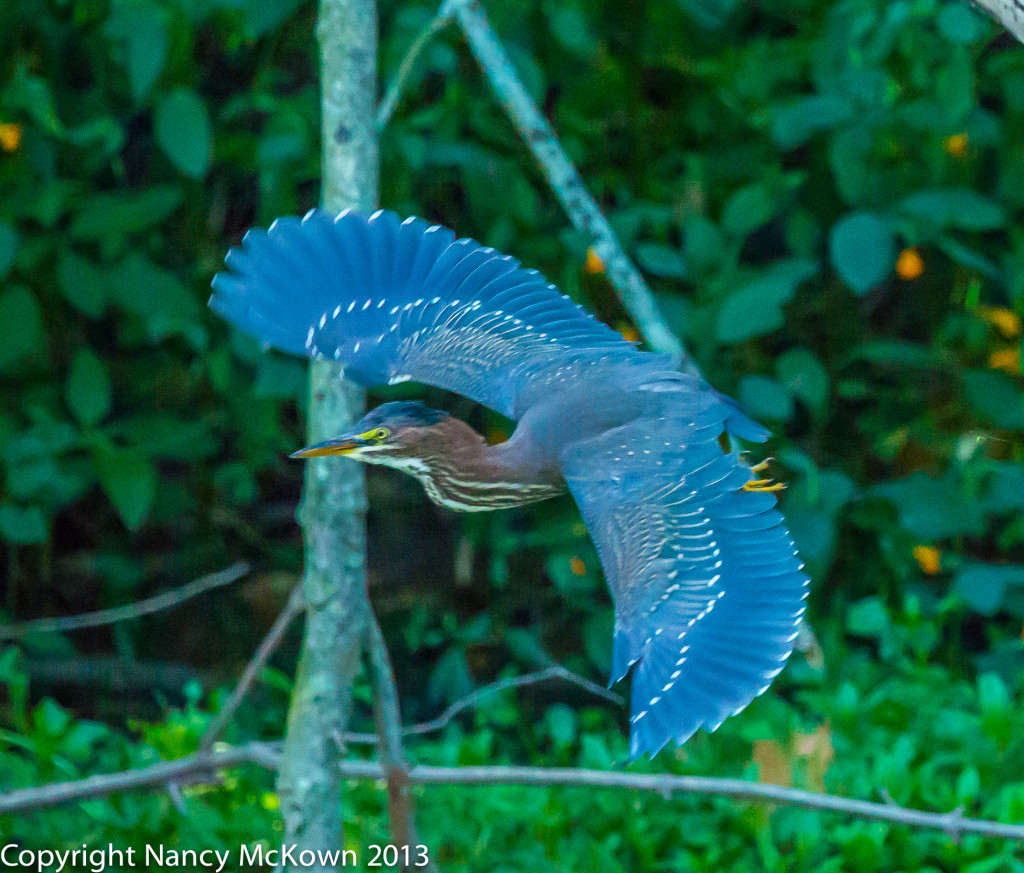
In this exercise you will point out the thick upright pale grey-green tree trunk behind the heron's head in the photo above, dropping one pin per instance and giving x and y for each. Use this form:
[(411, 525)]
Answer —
[(334, 499)]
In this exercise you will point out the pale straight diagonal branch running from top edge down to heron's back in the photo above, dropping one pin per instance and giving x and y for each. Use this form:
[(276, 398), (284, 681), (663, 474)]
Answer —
[(565, 180)]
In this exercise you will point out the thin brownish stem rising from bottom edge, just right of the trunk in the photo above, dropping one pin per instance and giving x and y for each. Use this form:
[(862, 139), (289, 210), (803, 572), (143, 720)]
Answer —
[(393, 758)]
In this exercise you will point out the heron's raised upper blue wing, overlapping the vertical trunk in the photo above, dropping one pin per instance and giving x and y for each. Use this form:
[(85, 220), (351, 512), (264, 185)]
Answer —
[(401, 300)]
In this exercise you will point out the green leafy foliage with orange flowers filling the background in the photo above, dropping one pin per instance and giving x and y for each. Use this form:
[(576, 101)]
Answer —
[(827, 200)]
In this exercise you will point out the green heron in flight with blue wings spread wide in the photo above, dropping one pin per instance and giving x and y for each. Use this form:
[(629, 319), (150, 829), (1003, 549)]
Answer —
[(708, 589)]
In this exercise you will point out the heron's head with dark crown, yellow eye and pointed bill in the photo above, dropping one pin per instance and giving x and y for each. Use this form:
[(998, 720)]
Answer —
[(397, 430)]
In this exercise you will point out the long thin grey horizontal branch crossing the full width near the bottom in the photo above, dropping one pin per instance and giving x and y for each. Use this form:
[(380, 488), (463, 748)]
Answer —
[(202, 768)]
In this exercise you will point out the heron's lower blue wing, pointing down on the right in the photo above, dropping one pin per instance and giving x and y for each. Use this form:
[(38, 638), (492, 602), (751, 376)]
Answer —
[(707, 584)]
